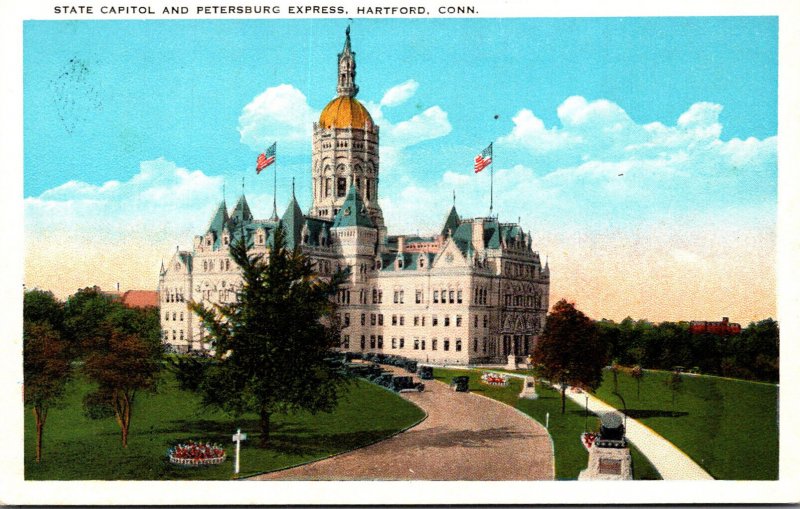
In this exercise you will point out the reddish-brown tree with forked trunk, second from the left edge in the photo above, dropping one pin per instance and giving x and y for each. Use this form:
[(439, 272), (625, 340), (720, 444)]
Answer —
[(122, 365)]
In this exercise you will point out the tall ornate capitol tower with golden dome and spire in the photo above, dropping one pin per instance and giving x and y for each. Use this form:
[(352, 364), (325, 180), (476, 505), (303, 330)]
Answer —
[(345, 149)]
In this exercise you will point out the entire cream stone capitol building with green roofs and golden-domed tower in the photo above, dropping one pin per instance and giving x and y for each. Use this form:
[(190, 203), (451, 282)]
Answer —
[(473, 292)]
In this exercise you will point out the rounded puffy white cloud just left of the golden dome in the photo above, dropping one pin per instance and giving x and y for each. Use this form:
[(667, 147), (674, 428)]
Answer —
[(281, 114)]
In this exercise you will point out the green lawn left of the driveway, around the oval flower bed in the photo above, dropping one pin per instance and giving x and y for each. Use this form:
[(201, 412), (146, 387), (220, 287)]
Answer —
[(78, 448)]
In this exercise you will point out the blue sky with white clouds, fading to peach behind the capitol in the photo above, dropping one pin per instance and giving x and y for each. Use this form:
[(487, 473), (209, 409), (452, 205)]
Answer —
[(624, 127)]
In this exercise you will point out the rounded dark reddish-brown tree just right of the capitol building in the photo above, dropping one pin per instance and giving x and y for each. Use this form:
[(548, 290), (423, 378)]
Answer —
[(570, 351)]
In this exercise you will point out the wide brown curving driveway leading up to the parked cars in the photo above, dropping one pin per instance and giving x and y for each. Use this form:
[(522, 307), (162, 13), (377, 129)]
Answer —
[(465, 437)]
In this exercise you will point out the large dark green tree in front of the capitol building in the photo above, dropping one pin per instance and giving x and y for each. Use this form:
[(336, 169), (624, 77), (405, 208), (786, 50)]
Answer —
[(271, 344)]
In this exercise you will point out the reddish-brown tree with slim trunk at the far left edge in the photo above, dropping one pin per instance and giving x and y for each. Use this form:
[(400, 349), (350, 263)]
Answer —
[(46, 370)]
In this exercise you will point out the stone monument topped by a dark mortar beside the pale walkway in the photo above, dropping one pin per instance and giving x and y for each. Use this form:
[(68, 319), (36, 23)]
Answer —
[(609, 456)]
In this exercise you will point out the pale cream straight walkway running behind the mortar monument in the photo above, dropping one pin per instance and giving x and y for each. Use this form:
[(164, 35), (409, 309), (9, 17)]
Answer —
[(671, 462)]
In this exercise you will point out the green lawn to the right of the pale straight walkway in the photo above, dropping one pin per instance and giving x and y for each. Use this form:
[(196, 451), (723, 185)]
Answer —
[(729, 427)]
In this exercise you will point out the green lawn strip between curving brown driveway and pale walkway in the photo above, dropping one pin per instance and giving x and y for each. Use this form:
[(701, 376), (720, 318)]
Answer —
[(565, 430)]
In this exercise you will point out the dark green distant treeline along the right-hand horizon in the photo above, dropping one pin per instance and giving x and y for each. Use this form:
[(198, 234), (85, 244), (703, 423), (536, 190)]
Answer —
[(751, 355)]
